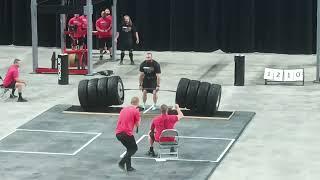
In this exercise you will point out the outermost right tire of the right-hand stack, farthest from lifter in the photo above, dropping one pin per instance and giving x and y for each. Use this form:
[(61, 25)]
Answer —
[(213, 99)]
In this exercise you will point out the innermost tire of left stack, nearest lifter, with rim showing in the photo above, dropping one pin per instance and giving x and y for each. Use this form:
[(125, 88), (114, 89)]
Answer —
[(115, 90)]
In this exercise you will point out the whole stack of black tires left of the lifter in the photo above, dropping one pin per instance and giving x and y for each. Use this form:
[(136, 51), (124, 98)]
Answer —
[(97, 93)]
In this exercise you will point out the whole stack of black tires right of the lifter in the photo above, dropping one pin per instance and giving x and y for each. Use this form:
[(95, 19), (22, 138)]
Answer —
[(200, 97)]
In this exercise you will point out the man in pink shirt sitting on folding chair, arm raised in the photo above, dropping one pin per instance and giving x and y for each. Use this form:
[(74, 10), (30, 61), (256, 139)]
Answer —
[(160, 123)]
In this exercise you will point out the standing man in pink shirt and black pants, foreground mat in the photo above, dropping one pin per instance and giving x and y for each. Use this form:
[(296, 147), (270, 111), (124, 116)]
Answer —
[(129, 118)]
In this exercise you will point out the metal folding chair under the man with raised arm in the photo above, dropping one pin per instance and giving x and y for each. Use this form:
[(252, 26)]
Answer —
[(166, 147)]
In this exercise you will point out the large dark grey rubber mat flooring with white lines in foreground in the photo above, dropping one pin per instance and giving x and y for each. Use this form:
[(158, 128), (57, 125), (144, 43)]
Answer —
[(56, 145)]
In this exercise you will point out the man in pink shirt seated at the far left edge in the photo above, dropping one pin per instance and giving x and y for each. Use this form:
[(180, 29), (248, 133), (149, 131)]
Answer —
[(13, 81)]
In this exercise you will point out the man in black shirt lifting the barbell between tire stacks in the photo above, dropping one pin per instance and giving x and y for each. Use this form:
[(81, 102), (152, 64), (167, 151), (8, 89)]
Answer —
[(149, 80)]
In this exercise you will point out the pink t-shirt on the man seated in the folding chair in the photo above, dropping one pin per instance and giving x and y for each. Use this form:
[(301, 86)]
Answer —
[(162, 122)]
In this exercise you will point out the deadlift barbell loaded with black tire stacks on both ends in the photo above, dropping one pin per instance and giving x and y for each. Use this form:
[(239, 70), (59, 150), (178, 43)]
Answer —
[(201, 97)]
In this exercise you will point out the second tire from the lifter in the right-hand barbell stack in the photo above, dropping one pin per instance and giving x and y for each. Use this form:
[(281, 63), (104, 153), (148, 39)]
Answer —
[(192, 94)]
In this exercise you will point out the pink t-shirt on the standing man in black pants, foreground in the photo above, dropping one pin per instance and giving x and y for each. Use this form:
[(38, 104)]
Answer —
[(129, 116)]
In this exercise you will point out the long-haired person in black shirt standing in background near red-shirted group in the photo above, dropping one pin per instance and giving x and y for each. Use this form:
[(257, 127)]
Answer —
[(127, 33)]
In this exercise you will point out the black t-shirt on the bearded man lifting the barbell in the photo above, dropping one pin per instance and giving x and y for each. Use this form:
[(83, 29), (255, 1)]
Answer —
[(150, 69)]
